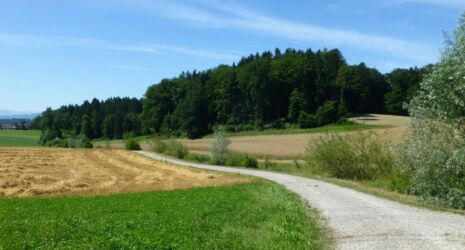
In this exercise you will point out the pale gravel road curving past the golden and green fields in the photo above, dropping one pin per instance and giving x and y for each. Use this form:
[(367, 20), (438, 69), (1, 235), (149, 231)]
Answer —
[(362, 221)]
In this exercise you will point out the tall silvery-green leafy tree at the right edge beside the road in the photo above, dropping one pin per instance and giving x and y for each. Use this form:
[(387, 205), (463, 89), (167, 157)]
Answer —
[(434, 152)]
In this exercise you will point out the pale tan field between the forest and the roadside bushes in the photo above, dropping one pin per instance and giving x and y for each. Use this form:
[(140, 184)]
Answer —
[(288, 146)]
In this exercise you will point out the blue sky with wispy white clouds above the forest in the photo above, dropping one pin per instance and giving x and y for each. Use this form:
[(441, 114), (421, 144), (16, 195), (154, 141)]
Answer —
[(55, 52)]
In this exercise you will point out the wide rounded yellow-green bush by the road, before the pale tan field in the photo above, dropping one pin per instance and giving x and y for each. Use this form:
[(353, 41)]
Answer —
[(359, 157)]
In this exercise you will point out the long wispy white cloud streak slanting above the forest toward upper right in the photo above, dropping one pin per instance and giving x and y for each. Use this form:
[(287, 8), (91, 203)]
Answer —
[(225, 14)]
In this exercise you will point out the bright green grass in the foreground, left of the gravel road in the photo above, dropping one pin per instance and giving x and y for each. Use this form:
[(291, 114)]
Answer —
[(249, 216)]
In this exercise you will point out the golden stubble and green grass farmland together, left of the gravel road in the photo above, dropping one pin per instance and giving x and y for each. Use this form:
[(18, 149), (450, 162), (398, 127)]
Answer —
[(71, 198)]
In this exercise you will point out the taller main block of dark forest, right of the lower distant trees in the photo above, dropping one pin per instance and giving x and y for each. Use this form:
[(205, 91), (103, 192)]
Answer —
[(271, 89)]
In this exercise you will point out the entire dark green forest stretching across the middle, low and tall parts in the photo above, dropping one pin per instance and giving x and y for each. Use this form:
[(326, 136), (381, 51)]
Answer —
[(277, 89)]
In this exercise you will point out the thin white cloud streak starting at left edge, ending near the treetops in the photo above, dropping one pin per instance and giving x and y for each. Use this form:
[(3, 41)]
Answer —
[(34, 40)]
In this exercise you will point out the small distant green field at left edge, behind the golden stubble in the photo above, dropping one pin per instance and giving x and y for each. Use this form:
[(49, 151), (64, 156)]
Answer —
[(19, 138)]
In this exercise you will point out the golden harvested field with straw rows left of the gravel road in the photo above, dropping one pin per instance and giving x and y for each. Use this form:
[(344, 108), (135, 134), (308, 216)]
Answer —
[(30, 172)]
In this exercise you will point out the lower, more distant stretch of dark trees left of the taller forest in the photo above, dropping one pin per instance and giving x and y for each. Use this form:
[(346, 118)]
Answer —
[(111, 118)]
